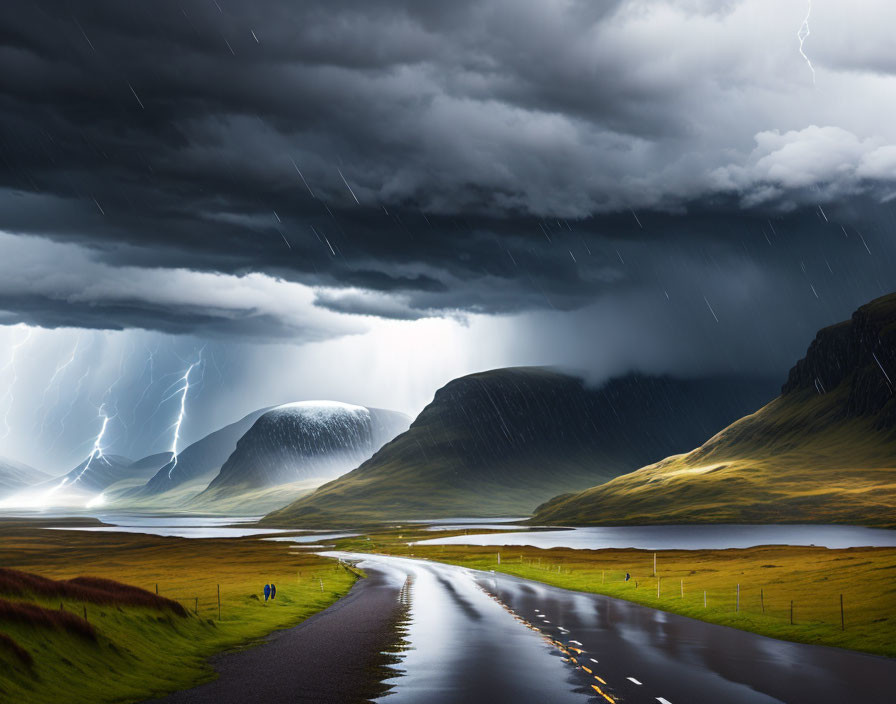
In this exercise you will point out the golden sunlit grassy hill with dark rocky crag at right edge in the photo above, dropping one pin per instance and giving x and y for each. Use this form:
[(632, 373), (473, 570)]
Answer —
[(823, 451)]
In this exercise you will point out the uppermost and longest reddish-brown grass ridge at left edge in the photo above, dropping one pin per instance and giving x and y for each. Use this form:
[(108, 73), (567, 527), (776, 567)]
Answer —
[(94, 590)]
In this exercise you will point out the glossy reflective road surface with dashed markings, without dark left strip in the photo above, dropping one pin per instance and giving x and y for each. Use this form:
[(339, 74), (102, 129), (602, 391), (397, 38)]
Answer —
[(486, 637)]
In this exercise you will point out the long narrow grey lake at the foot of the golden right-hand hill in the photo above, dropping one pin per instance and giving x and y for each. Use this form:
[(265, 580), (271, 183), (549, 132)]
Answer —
[(693, 537)]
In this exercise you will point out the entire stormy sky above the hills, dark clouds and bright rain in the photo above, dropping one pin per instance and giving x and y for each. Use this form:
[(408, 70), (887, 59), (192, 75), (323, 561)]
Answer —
[(361, 201)]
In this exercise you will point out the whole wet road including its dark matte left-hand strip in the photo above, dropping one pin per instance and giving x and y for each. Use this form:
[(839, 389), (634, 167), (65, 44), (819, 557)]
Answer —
[(476, 637)]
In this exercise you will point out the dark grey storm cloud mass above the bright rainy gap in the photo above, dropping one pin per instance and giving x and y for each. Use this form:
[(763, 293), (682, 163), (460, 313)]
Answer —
[(422, 158)]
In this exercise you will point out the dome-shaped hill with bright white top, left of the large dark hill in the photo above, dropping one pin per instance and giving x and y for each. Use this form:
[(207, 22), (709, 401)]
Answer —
[(304, 441)]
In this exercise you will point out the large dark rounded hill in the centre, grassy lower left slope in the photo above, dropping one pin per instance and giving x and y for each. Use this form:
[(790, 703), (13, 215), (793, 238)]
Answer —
[(503, 441)]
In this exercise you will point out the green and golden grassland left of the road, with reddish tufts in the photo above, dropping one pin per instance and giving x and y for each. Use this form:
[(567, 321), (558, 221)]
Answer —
[(88, 640)]
